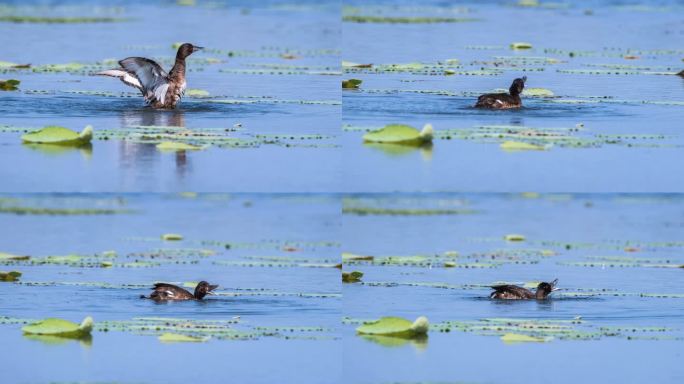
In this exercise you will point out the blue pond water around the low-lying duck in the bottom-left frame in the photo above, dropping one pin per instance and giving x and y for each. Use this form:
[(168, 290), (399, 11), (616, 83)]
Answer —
[(261, 223)]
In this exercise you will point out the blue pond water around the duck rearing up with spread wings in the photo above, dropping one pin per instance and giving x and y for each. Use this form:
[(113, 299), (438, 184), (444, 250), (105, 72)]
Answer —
[(259, 33)]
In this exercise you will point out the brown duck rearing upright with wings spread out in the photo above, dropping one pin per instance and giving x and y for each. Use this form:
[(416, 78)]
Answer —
[(160, 89)]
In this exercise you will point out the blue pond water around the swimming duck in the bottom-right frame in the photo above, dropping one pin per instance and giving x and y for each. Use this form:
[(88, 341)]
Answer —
[(596, 226)]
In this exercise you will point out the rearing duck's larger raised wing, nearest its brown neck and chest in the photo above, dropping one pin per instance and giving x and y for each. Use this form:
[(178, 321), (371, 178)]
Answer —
[(153, 79)]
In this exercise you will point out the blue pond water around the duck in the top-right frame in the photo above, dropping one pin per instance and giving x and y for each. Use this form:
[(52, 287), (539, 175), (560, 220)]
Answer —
[(612, 31)]
